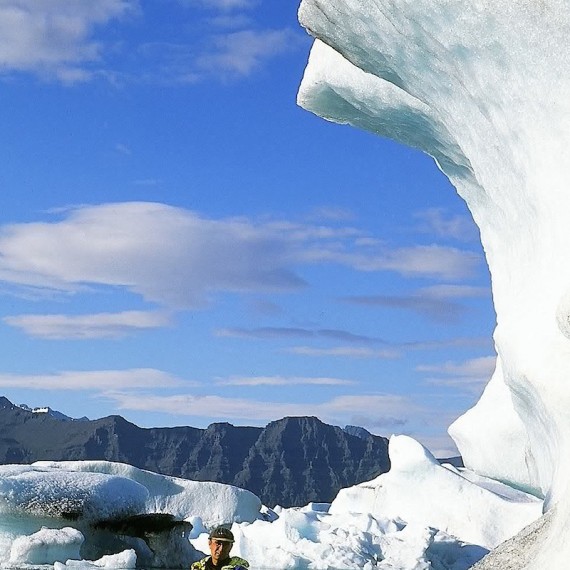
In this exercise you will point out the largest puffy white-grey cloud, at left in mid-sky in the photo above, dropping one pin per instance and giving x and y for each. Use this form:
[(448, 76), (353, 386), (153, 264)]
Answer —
[(165, 254)]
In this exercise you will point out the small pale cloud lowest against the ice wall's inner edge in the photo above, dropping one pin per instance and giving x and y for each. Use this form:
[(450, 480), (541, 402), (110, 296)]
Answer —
[(470, 375)]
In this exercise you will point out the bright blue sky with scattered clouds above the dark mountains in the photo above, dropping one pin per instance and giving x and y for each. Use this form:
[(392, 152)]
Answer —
[(181, 244)]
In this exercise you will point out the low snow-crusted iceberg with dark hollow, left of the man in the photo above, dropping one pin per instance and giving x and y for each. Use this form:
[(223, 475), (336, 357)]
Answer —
[(63, 512)]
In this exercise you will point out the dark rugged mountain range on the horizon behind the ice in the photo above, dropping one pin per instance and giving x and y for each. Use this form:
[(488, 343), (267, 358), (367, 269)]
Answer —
[(290, 462)]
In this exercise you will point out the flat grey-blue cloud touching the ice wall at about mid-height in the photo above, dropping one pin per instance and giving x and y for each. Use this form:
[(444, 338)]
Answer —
[(437, 303)]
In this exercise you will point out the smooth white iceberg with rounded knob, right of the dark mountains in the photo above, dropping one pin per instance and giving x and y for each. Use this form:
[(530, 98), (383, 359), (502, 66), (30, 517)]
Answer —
[(419, 490)]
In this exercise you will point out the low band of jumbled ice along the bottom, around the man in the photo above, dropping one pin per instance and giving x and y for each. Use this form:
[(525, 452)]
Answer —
[(428, 516)]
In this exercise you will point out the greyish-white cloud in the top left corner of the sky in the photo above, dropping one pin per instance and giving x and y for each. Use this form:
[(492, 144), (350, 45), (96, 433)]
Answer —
[(54, 38)]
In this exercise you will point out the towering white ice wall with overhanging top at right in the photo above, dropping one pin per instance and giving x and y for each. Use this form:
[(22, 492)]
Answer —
[(484, 88)]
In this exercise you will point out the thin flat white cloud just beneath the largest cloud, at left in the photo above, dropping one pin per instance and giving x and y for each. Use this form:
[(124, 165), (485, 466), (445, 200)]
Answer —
[(79, 327)]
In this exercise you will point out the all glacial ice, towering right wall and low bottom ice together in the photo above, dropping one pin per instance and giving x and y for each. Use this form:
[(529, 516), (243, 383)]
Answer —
[(483, 87)]
